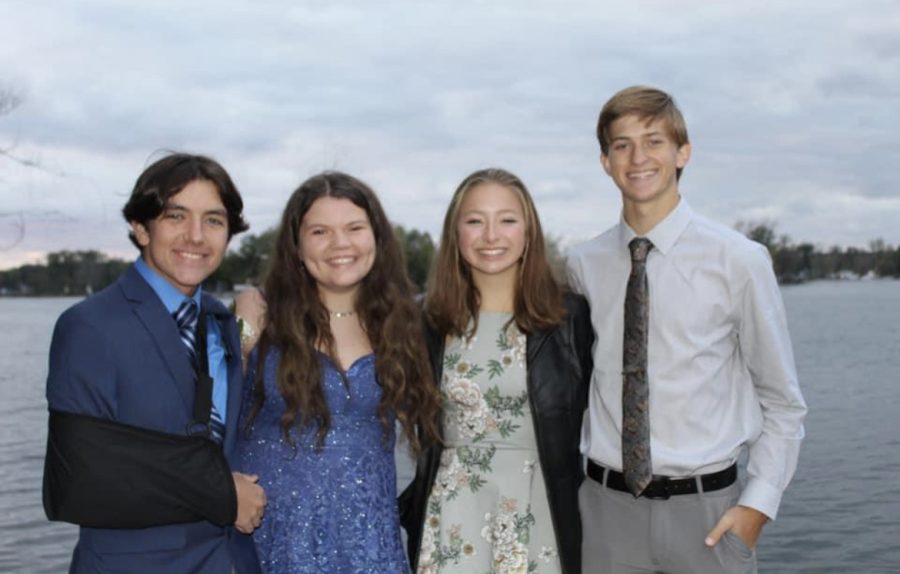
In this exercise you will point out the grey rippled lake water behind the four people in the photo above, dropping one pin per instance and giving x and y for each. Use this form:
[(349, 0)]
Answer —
[(841, 514)]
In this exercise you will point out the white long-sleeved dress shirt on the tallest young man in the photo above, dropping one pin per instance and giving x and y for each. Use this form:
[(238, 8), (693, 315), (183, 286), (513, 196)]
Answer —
[(720, 363)]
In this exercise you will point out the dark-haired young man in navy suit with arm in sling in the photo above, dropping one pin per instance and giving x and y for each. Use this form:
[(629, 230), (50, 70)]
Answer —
[(119, 364)]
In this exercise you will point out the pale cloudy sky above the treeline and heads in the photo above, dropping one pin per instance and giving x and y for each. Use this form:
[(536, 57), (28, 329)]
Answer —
[(792, 106)]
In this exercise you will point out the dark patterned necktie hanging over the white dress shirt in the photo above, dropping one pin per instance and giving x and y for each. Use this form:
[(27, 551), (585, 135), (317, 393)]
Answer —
[(636, 465)]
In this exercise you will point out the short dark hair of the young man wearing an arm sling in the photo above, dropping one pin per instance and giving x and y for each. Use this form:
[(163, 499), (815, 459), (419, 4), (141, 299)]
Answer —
[(168, 176)]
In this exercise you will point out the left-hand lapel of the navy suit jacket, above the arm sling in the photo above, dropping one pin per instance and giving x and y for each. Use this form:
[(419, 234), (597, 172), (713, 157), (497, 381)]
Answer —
[(162, 329)]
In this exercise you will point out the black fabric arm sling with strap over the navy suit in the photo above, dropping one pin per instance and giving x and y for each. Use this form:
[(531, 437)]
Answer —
[(105, 474)]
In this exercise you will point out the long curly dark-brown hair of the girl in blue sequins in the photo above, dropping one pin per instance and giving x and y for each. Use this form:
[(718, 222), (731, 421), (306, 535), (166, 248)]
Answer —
[(297, 323)]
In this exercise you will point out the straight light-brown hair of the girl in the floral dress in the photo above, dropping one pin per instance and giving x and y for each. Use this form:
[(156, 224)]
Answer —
[(452, 300)]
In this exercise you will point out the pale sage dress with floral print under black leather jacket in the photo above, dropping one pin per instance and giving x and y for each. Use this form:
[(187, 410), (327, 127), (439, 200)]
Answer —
[(488, 511)]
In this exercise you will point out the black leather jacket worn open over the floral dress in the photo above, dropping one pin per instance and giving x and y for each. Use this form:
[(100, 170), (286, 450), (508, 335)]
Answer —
[(559, 364)]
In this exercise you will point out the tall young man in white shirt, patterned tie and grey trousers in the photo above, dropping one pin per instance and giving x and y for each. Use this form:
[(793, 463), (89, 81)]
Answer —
[(713, 360)]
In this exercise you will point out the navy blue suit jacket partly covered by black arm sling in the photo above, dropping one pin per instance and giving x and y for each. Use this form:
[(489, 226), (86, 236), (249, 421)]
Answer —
[(118, 355)]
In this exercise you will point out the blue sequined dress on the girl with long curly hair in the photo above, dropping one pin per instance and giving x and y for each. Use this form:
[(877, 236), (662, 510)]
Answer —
[(331, 511)]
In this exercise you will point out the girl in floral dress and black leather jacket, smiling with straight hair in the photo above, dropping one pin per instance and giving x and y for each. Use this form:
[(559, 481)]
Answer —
[(511, 352)]
